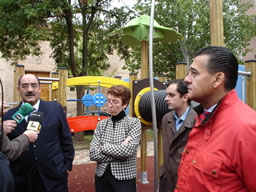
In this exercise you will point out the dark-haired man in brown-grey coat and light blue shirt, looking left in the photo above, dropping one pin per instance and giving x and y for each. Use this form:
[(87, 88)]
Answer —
[(176, 126)]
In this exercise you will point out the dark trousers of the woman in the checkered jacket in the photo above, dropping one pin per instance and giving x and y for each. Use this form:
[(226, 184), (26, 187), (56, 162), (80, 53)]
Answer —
[(108, 183)]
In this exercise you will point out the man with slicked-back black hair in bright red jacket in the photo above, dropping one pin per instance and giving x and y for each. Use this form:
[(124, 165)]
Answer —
[(219, 155)]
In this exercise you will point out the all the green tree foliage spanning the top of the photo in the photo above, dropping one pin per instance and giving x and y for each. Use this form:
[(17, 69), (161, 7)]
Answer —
[(78, 32)]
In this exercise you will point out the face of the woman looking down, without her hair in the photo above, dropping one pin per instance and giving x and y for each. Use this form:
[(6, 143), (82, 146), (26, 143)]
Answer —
[(115, 105)]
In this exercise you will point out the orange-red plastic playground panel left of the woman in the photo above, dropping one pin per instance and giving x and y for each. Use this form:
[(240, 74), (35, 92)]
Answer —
[(84, 123)]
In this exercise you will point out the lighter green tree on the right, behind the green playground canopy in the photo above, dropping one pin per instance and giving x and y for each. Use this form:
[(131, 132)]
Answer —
[(191, 18)]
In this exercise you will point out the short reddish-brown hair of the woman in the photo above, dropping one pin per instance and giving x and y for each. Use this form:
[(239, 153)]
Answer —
[(120, 91)]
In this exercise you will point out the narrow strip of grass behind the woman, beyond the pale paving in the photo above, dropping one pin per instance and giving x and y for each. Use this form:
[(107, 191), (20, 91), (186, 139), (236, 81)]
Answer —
[(88, 138)]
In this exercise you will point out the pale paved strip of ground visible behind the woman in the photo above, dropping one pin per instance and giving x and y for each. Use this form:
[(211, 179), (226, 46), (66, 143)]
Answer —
[(82, 155)]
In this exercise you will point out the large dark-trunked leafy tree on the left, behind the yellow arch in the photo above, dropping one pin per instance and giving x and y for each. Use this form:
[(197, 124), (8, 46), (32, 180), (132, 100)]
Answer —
[(76, 30)]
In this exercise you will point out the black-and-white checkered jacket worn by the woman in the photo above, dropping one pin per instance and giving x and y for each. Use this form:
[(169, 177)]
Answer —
[(106, 147)]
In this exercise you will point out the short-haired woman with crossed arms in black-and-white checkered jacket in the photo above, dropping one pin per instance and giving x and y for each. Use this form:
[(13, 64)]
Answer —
[(114, 145)]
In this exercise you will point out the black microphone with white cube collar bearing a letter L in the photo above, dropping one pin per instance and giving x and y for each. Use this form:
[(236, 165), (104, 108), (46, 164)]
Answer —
[(35, 121)]
